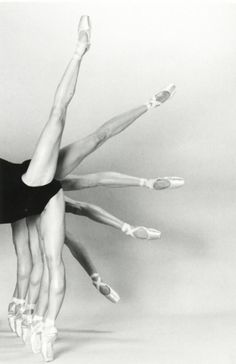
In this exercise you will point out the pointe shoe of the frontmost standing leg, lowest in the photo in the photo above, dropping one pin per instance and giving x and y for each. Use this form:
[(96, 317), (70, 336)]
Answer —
[(48, 338)]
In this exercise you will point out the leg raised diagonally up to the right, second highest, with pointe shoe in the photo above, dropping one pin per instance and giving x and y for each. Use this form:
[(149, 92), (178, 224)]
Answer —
[(72, 155)]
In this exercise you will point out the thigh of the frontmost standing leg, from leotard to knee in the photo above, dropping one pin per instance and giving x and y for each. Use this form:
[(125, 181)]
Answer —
[(52, 227)]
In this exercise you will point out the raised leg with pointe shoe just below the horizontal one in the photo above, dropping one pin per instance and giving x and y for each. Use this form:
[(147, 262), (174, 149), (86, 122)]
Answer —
[(98, 214)]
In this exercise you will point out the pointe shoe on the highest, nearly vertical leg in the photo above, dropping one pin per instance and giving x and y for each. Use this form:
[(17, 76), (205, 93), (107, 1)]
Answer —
[(84, 34)]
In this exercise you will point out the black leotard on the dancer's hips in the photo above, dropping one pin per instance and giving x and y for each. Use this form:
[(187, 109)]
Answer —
[(18, 200)]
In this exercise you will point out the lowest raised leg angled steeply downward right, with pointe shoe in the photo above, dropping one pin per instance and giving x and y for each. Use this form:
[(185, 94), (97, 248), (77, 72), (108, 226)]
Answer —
[(80, 254)]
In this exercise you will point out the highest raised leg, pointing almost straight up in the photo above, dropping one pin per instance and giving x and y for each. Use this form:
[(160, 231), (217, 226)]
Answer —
[(43, 165)]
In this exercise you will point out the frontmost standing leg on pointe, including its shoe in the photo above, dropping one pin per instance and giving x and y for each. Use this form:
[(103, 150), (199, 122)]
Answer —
[(53, 233)]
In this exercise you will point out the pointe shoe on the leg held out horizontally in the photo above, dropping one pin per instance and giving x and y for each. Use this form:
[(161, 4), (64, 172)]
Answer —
[(162, 183)]
